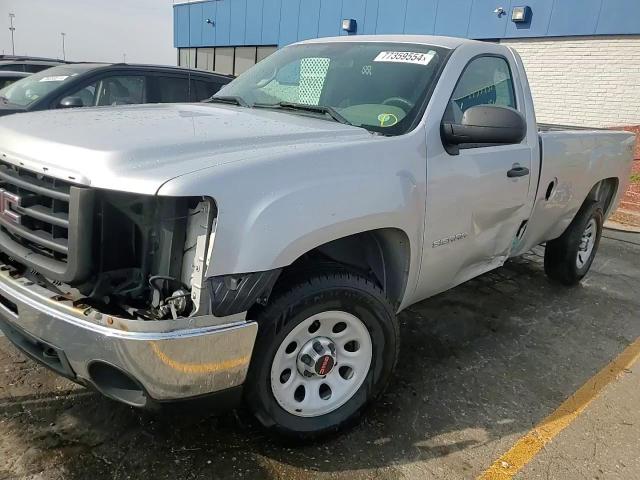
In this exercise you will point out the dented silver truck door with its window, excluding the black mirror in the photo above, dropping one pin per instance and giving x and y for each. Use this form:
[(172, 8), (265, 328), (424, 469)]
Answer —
[(475, 208)]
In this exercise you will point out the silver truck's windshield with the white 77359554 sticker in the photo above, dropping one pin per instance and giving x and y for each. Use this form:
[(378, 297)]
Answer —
[(375, 85)]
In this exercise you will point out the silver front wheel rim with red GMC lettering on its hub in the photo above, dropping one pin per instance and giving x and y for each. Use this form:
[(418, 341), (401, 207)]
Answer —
[(321, 364)]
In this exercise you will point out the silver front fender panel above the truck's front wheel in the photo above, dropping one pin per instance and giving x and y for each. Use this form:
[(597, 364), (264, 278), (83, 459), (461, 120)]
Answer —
[(273, 210)]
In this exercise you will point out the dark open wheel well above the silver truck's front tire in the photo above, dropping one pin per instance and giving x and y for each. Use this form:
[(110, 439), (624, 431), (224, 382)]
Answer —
[(383, 255)]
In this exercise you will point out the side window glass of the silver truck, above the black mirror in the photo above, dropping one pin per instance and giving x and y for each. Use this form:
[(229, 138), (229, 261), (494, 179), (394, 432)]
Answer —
[(485, 81)]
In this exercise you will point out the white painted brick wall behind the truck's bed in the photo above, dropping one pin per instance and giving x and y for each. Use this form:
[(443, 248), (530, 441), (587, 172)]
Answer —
[(588, 81)]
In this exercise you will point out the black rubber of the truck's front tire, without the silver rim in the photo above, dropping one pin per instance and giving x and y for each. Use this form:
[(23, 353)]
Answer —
[(344, 291)]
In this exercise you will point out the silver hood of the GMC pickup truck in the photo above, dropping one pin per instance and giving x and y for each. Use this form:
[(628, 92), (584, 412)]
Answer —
[(138, 148)]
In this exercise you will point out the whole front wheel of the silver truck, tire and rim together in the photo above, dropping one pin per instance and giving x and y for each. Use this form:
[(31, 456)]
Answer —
[(325, 348)]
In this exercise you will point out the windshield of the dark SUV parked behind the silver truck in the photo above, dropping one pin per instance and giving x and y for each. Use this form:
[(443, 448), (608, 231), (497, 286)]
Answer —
[(26, 91)]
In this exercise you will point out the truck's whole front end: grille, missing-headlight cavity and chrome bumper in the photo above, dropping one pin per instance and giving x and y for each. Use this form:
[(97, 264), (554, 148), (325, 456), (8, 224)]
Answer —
[(110, 290)]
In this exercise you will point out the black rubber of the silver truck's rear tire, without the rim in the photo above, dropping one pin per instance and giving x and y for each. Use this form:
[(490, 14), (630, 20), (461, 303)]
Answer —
[(560, 254)]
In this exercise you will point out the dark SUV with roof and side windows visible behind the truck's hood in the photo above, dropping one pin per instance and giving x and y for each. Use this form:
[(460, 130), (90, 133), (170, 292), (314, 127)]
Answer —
[(94, 84)]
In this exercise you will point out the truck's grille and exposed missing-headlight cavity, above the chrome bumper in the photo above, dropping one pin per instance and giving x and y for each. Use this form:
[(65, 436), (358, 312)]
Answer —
[(133, 256)]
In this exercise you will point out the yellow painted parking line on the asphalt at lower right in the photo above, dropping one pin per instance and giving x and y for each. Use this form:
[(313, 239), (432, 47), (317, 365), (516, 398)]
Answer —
[(525, 449)]
